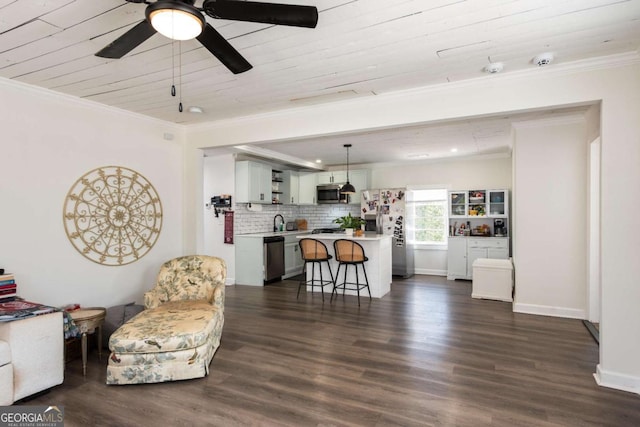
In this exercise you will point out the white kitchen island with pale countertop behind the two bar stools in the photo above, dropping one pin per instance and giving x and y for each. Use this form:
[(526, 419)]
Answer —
[(377, 248)]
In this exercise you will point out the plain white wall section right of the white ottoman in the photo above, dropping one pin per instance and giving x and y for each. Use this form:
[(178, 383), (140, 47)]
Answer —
[(550, 211)]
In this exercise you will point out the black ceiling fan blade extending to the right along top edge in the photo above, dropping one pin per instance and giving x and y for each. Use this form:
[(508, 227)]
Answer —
[(268, 13)]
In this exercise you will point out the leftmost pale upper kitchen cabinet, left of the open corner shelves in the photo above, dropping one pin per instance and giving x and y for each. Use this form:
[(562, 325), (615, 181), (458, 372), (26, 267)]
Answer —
[(253, 182)]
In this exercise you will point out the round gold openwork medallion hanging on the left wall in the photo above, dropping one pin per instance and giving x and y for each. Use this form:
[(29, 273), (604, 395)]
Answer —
[(112, 215)]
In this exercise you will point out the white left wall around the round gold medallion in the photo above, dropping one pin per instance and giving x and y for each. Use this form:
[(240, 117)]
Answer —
[(49, 142)]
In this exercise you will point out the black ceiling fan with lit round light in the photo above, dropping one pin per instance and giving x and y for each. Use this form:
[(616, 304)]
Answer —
[(181, 20)]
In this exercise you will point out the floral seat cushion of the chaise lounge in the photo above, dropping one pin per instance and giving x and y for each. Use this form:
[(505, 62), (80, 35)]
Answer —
[(176, 325)]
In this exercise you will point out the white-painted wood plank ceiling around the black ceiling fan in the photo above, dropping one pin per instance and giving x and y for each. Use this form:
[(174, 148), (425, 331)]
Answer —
[(359, 48)]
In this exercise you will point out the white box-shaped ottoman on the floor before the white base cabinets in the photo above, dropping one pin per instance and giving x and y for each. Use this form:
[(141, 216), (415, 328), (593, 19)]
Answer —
[(493, 279)]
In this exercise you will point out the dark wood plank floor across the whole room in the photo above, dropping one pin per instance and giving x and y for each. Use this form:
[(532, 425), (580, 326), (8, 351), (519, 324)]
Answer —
[(426, 354)]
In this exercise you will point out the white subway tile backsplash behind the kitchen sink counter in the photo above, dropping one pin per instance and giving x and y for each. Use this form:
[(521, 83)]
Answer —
[(317, 216)]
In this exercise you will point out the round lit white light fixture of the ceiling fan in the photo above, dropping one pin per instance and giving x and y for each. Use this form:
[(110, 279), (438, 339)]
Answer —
[(175, 20)]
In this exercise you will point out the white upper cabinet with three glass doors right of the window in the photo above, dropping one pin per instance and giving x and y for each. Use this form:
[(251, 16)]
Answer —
[(479, 203)]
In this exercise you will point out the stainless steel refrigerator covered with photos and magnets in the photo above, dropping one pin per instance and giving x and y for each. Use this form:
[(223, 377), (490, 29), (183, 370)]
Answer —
[(384, 210)]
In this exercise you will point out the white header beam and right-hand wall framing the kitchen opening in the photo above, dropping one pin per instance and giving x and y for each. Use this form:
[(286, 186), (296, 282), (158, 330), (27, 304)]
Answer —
[(615, 82)]
